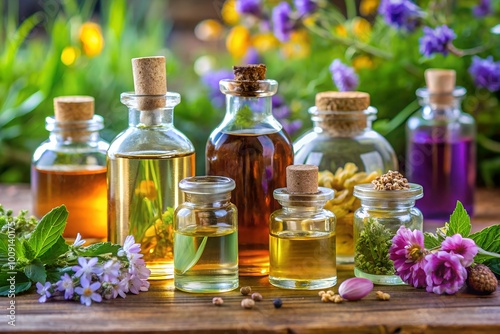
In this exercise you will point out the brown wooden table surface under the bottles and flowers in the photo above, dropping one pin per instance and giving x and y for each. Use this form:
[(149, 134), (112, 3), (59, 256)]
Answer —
[(165, 310)]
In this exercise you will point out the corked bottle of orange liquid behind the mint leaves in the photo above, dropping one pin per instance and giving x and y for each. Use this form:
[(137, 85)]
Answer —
[(70, 168)]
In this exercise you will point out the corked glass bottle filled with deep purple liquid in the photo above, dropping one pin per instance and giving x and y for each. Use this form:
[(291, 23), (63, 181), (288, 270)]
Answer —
[(441, 147)]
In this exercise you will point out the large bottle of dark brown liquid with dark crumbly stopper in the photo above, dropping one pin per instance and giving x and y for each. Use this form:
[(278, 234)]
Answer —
[(251, 147)]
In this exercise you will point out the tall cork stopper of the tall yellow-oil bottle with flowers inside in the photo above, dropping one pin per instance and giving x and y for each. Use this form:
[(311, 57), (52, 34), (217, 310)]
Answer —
[(150, 79)]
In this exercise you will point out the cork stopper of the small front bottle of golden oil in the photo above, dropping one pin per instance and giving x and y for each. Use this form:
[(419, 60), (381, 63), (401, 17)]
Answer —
[(302, 179)]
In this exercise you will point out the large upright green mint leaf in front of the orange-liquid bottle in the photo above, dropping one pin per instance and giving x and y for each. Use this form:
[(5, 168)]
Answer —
[(48, 230)]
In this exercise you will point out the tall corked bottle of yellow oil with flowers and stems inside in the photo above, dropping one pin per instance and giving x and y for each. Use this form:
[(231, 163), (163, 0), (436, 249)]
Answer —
[(145, 164)]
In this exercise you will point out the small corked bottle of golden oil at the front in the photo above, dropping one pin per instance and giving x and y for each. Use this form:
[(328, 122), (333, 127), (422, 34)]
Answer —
[(302, 234)]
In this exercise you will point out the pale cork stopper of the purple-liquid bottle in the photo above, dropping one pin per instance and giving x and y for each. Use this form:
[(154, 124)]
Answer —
[(440, 84)]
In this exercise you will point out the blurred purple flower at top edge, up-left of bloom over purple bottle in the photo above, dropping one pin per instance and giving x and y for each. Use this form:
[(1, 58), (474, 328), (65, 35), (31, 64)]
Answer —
[(400, 14)]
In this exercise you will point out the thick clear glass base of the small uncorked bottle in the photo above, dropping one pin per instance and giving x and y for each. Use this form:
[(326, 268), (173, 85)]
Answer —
[(205, 284)]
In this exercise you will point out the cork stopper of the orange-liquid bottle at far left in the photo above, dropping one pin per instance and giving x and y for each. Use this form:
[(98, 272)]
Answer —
[(73, 108)]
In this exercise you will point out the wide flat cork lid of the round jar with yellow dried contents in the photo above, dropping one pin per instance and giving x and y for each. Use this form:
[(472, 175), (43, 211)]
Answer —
[(342, 101)]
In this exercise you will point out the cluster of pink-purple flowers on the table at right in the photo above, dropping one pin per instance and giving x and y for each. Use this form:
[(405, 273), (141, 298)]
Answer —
[(440, 271)]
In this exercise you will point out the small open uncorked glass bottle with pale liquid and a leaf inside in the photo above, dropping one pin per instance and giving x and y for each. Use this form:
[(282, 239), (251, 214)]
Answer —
[(206, 236)]
